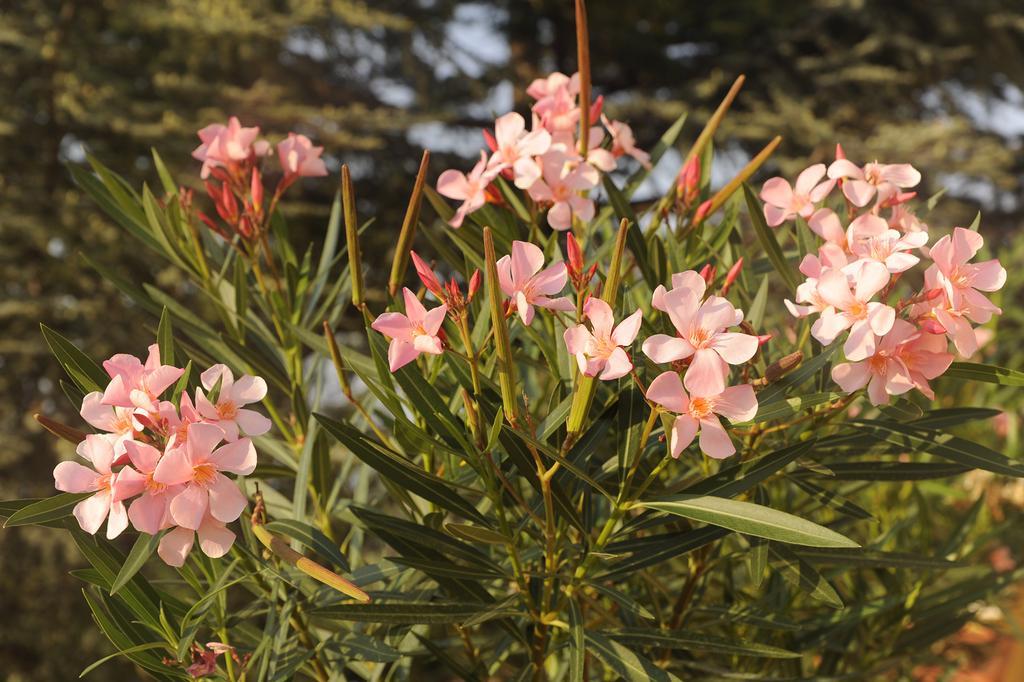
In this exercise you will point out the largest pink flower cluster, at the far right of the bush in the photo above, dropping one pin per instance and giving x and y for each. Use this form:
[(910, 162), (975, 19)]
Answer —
[(892, 345)]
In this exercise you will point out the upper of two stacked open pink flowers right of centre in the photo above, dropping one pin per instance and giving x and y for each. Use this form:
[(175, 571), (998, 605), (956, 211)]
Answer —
[(702, 337)]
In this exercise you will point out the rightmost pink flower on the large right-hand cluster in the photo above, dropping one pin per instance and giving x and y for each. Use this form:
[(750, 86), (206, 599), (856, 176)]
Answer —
[(963, 281)]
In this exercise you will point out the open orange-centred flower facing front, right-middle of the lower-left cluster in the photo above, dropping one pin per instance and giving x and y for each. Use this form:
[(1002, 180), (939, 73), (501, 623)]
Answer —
[(199, 465)]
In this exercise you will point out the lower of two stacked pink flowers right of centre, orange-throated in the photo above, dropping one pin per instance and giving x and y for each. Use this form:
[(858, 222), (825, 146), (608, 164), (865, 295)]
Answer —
[(699, 413)]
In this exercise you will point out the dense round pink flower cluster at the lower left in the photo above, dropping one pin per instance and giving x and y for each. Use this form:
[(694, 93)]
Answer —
[(168, 459)]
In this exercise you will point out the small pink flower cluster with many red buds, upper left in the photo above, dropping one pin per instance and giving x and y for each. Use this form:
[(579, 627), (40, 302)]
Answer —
[(232, 155)]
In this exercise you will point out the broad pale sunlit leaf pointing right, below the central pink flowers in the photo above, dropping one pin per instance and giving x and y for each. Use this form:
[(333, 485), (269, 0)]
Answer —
[(751, 520)]
